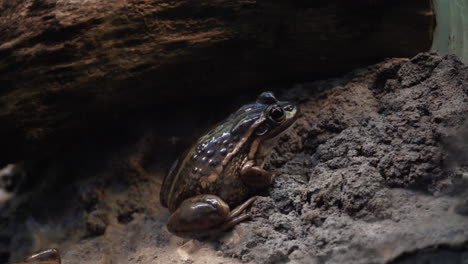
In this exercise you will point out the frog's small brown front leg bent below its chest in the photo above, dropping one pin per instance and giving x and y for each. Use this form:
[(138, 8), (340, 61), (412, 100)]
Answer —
[(256, 177)]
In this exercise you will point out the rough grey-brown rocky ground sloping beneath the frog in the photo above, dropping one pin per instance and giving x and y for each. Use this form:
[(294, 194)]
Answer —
[(374, 171)]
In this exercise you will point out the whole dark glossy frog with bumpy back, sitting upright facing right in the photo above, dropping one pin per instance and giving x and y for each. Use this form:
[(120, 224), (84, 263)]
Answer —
[(224, 169)]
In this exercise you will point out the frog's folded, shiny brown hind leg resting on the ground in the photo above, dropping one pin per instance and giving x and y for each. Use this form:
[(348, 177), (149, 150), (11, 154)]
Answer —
[(205, 215)]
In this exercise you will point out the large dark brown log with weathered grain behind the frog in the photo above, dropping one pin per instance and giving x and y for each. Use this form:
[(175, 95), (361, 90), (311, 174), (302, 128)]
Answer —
[(70, 67)]
